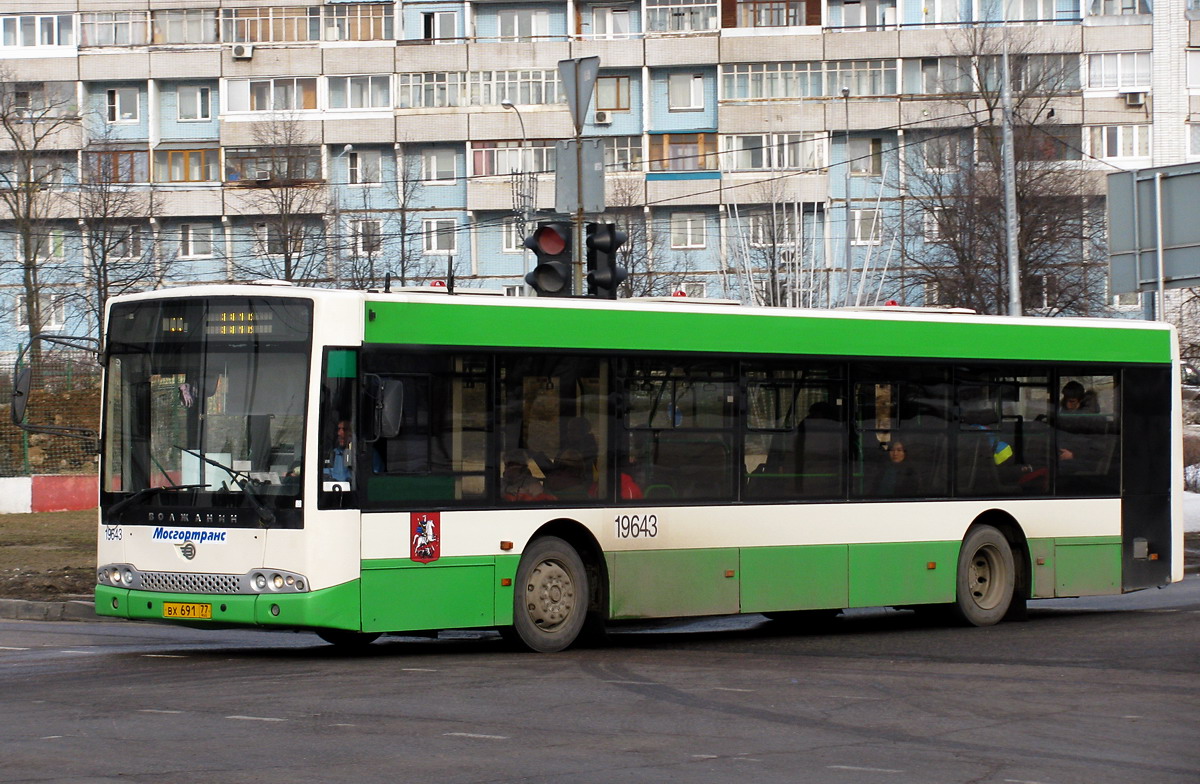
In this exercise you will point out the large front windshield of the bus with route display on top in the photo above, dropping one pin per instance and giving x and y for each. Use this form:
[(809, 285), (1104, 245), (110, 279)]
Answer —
[(206, 411)]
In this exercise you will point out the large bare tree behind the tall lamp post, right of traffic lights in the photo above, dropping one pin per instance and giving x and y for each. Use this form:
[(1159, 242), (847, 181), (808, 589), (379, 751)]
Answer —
[(953, 223)]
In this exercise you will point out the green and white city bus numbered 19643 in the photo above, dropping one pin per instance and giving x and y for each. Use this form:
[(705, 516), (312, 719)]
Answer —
[(359, 464)]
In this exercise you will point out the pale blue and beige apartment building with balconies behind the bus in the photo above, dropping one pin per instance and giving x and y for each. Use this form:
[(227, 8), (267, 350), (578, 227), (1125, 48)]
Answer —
[(765, 151)]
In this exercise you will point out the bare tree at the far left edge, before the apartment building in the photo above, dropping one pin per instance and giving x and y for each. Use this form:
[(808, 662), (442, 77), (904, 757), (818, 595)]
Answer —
[(39, 127)]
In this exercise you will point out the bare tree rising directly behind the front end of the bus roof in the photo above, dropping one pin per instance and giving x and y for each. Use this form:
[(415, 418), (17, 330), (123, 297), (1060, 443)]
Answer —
[(287, 202)]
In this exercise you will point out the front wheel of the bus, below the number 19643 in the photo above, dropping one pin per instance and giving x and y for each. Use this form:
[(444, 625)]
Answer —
[(550, 597)]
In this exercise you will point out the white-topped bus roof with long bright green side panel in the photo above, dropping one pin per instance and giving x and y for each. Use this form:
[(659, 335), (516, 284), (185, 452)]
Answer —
[(464, 320)]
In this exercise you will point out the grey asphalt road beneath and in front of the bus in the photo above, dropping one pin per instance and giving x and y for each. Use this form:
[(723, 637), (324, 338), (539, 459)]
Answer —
[(1084, 692)]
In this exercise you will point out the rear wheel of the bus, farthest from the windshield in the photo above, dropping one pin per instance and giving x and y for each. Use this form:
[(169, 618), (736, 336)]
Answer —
[(986, 578)]
